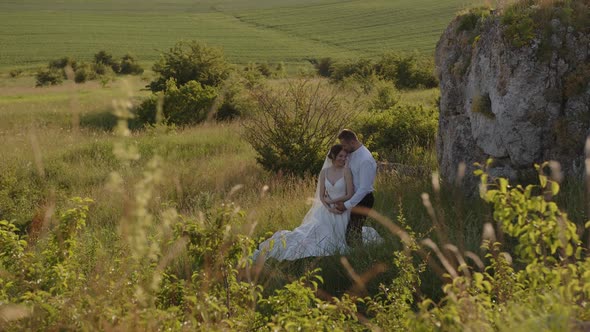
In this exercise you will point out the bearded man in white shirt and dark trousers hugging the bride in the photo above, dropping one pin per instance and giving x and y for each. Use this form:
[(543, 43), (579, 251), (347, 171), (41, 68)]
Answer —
[(364, 169)]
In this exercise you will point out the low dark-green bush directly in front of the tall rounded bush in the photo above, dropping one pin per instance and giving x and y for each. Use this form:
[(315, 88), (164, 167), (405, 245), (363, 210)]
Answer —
[(186, 104)]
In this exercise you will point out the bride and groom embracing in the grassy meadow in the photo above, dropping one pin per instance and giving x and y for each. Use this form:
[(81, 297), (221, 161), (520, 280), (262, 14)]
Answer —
[(332, 225)]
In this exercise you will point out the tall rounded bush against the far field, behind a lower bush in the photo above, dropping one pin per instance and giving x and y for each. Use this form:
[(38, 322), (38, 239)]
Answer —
[(190, 61)]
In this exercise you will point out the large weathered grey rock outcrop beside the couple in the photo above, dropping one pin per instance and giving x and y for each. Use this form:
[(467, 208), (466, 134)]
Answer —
[(519, 105)]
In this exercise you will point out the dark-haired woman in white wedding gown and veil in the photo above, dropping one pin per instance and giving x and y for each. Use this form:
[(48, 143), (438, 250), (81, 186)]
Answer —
[(323, 231)]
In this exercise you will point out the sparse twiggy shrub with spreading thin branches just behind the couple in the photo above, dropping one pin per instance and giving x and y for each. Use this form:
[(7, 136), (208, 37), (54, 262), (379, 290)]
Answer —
[(293, 127)]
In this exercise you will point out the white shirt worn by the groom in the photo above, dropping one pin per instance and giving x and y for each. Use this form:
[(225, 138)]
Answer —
[(364, 169)]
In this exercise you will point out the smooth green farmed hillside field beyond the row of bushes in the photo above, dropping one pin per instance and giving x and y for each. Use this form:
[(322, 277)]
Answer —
[(36, 31)]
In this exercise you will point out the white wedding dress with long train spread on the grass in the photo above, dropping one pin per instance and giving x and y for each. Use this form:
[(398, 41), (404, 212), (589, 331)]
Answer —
[(321, 234)]
